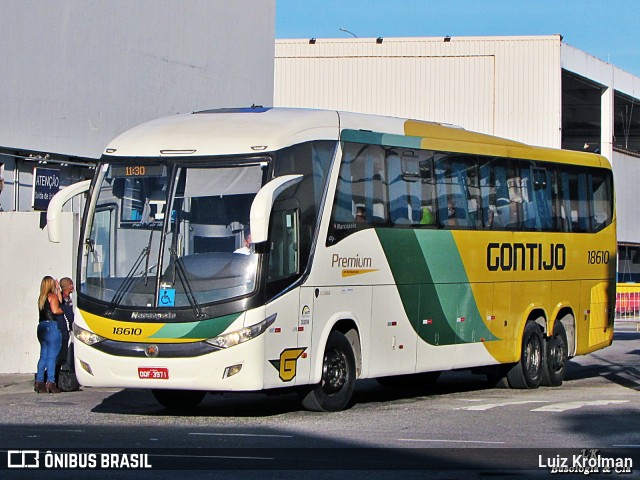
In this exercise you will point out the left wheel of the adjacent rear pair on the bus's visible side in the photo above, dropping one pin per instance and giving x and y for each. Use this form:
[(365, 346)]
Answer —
[(527, 373)]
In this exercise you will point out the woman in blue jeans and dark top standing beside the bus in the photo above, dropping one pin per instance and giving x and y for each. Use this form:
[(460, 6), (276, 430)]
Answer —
[(49, 335)]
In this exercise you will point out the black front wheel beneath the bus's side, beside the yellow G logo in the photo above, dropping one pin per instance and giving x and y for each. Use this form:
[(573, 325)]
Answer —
[(334, 391)]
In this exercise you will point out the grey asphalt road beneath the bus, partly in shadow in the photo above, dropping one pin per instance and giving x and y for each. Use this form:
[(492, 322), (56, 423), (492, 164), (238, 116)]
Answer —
[(459, 428)]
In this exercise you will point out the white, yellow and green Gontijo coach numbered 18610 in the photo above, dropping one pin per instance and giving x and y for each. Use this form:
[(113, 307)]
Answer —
[(260, 248)]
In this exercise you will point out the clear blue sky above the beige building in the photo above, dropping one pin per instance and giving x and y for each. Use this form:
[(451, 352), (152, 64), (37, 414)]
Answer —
[(606, 29)]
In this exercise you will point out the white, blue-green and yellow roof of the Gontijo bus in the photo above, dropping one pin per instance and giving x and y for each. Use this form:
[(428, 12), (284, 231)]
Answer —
[(255, 129)]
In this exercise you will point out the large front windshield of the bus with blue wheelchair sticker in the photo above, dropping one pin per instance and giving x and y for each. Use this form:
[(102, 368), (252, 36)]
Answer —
[(171, 234)]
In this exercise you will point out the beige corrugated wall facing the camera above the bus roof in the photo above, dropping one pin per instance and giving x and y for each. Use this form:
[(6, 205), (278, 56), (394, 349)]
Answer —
[(504, 86)]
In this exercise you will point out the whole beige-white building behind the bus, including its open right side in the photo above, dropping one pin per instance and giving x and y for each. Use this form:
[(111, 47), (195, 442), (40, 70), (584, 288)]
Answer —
[(534, 89)]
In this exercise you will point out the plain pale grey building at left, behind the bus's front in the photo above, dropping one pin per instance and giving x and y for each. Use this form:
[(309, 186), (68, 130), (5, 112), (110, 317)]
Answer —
[(75, 74)]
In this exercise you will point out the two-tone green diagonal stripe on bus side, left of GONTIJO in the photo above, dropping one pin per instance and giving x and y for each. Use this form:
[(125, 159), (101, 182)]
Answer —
[(433, 286)]
